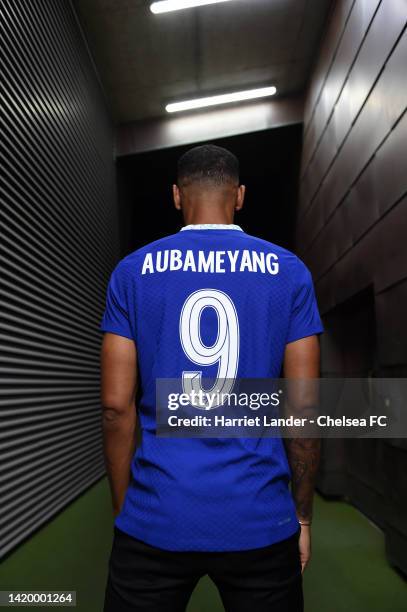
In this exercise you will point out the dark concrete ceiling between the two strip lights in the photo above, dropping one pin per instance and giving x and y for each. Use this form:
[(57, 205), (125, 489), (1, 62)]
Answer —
[(146, 60)]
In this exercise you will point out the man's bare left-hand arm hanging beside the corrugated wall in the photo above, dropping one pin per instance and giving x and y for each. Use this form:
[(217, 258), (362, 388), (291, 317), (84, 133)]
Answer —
[(118, 391)]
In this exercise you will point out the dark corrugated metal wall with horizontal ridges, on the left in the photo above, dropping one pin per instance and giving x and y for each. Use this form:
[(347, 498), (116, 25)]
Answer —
[(59, 244)]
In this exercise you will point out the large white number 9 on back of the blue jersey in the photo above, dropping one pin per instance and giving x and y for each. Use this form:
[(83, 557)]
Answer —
[(225, 350)]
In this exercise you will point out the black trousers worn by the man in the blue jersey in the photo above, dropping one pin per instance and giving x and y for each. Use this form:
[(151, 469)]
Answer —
[(142, 577)]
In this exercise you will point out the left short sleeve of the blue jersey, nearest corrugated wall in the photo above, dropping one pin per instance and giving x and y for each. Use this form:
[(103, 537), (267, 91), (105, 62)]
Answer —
[(116, 316)]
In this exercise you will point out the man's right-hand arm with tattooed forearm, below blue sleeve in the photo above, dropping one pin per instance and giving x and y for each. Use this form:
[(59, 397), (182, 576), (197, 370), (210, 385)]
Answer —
[(301, 363)]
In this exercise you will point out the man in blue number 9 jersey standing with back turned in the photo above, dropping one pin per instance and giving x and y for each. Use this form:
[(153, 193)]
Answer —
[(185, 508)]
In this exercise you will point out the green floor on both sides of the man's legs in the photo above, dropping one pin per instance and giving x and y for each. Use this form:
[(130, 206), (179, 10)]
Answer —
[(348, 573)]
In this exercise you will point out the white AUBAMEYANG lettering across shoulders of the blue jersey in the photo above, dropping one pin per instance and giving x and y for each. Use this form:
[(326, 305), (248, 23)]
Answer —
[(217, 262)]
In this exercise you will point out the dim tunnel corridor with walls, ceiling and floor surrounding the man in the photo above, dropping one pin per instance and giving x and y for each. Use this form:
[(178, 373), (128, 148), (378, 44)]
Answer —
[(88, 156)]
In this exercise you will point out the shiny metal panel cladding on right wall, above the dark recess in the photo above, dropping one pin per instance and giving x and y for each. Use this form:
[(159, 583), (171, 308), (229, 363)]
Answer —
[(352, 212)]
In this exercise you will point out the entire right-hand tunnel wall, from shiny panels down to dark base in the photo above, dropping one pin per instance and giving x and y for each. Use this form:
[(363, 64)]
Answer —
[(352, 228)]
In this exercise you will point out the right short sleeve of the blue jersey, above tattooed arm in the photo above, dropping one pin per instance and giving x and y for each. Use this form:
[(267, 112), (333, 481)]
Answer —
[(305, 320)]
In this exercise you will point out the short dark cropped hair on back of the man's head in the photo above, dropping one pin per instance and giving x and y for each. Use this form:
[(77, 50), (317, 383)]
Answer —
[(208, 163)]
